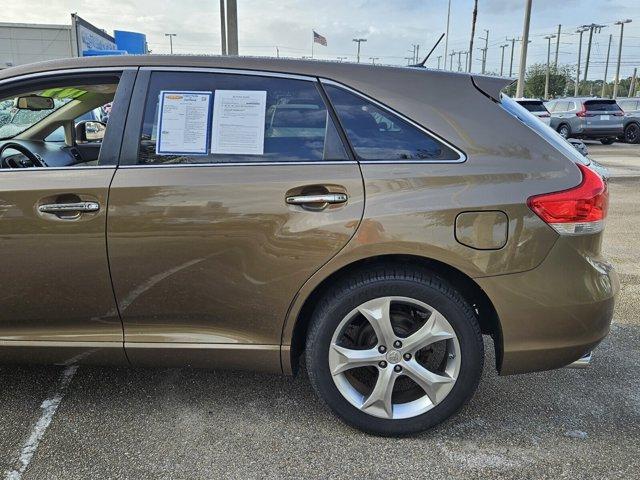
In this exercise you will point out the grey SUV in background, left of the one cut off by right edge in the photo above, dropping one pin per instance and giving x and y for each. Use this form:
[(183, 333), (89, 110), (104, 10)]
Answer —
[(588, 118)]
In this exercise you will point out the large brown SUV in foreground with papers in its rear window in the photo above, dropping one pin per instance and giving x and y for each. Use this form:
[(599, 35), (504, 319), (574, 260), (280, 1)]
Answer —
[(252, 213)]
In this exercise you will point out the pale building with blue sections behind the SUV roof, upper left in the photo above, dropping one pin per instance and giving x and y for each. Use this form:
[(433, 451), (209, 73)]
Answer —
[(22, 43)]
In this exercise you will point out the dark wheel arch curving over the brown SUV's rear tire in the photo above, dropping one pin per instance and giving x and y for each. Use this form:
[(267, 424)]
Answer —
[(482, 305)]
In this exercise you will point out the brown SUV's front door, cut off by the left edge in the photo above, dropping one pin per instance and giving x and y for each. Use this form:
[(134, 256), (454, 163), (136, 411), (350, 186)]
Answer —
[(57, 303)]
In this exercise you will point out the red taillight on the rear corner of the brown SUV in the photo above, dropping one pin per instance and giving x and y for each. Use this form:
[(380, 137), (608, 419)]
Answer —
[(579, 210)]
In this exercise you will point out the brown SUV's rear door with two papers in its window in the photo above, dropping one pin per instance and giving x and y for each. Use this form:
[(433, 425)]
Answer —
[(208, 250)]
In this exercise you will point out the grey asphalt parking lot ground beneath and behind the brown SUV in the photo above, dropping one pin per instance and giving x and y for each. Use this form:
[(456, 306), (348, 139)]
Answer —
[(178, 423)]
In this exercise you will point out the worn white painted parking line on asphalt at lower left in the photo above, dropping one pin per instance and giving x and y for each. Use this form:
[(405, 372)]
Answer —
[(49, 408)]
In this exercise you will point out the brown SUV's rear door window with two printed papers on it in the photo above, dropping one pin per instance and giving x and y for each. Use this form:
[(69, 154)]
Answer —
[(297, 125)]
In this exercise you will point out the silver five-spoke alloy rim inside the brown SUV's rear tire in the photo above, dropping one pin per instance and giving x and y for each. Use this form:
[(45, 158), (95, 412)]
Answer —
[(394, 357)]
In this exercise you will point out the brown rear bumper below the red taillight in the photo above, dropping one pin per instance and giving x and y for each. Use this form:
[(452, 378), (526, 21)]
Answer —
[(552, 315)]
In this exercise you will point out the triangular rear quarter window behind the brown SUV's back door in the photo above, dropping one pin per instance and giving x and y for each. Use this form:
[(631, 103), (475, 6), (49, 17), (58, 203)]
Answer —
[(377, 134)]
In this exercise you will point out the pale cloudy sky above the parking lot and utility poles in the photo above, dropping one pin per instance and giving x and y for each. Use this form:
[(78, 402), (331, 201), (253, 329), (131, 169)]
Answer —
[(391, 27)]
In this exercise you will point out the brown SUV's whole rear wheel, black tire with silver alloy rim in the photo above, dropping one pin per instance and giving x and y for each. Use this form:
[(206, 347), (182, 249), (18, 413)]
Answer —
[(403, 287)]
